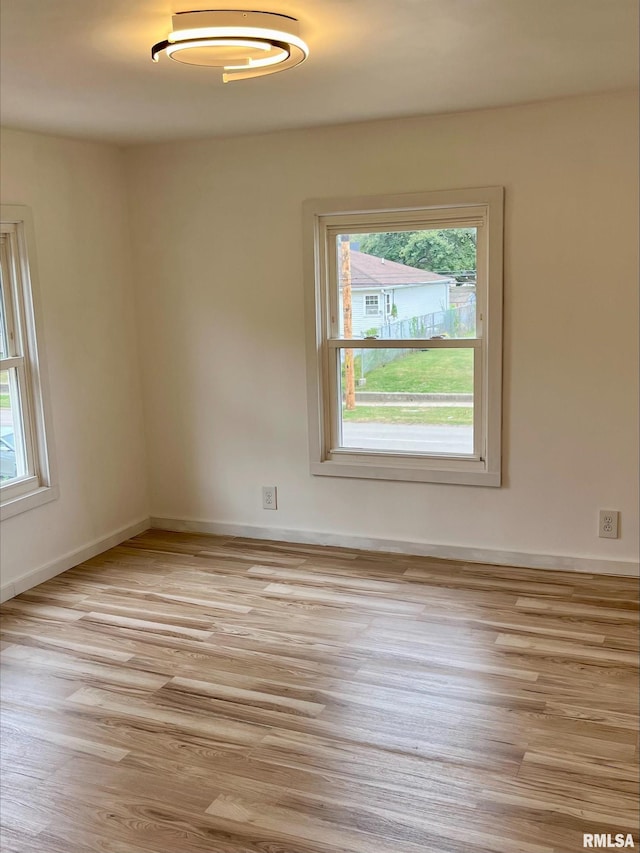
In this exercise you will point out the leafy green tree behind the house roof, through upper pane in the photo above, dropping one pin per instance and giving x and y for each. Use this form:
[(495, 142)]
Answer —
[(445, 250)]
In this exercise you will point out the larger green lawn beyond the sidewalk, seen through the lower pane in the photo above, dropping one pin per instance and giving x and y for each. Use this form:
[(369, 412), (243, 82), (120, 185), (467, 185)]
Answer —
[(437, 371)]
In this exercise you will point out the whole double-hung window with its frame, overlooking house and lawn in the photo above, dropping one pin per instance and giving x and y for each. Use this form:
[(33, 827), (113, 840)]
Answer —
[(420, 399)]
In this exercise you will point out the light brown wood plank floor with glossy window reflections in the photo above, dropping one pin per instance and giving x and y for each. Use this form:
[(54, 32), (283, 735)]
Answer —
[(188, 693)]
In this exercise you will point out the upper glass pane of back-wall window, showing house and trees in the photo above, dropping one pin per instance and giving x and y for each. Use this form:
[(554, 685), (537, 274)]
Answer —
[(407, 284)]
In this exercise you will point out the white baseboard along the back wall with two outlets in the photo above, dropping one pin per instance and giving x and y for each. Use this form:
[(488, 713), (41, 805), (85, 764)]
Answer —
[(625, 568)]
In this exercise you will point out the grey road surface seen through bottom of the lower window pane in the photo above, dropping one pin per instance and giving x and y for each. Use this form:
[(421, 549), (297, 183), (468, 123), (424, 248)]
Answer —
[(409, 437)]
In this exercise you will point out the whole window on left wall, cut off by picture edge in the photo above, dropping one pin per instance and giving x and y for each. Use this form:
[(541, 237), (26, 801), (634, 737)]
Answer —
[(25, 463)]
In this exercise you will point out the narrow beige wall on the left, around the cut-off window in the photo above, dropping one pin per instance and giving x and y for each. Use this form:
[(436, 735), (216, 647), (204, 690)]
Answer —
[(77, 195)]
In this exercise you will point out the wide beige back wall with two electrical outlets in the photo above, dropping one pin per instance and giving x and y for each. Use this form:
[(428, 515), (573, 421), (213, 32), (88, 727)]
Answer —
[(217, 238)]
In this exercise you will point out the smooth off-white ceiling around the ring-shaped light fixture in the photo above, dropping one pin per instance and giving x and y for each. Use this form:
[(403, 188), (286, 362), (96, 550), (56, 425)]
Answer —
[(83, 68)]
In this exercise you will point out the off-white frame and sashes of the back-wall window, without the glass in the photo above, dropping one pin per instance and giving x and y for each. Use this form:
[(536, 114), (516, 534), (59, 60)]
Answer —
[(324, 220)]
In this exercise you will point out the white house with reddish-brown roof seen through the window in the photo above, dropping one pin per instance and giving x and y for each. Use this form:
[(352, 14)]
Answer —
[(387, 292)]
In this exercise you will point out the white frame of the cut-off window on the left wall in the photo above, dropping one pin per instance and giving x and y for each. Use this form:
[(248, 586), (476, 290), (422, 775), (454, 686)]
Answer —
[(22, 305)]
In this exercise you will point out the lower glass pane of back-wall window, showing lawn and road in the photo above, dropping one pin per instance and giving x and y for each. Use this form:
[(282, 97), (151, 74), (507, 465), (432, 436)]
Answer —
[(413, 401)]
